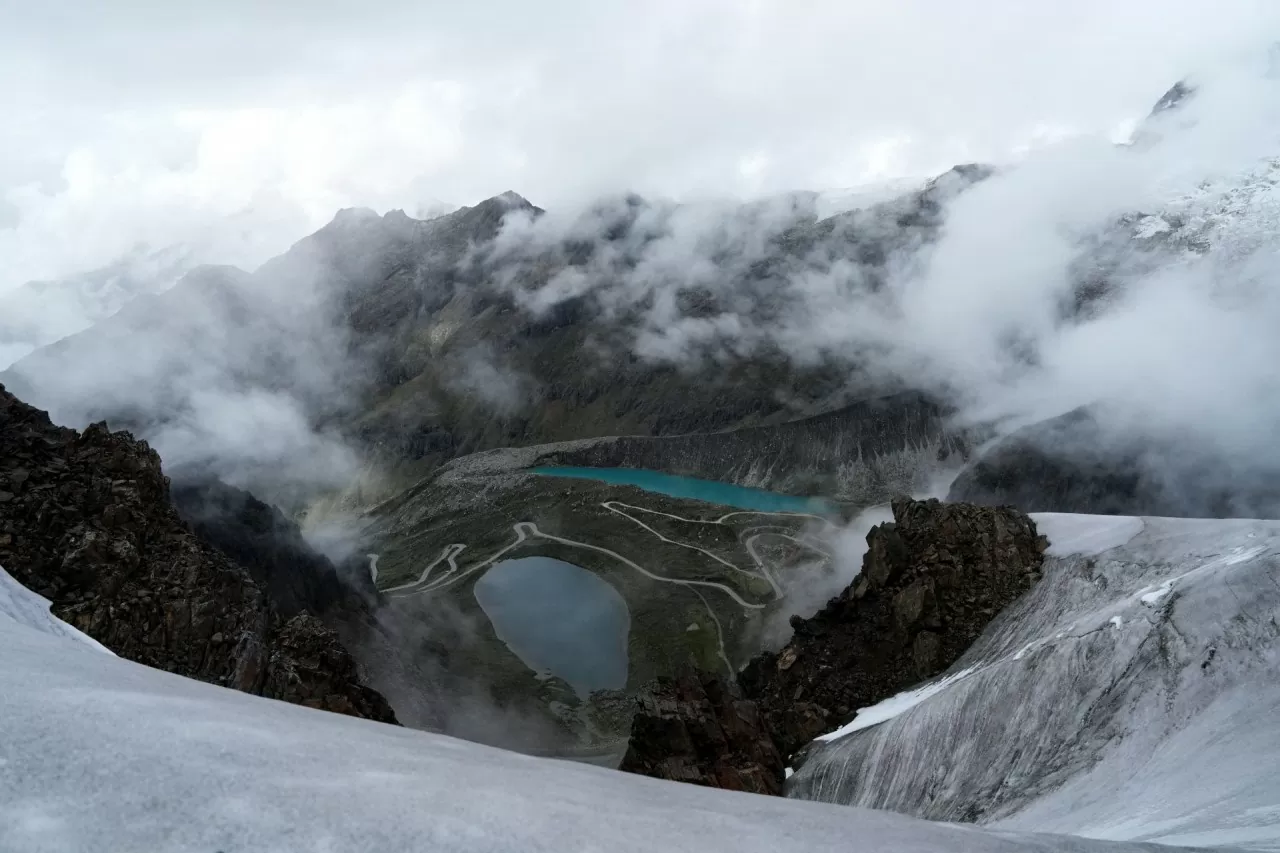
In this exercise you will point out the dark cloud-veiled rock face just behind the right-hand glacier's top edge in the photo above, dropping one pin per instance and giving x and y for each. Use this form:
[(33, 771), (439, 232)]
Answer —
[(1077, 463)]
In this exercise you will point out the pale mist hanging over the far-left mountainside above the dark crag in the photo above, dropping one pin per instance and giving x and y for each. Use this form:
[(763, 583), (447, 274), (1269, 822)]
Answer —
[(225, 373)]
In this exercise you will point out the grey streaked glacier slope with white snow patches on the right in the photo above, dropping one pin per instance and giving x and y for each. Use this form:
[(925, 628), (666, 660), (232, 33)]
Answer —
[(1133, 695)]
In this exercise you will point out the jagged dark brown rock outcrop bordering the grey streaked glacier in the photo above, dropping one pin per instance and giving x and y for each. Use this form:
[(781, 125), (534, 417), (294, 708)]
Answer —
[(932, 581)]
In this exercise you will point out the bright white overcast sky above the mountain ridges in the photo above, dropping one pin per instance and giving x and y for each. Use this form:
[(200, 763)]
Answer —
[(246, 124)]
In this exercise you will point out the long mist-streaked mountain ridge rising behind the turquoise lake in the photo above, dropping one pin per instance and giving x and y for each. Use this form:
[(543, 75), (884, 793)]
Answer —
[(419, 341)]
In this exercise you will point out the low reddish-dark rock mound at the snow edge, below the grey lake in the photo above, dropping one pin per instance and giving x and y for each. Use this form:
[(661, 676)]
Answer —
[(698, 729)]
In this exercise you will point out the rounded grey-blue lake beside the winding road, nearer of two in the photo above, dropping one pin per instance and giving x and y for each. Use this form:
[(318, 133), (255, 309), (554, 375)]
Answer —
[(560, 619)]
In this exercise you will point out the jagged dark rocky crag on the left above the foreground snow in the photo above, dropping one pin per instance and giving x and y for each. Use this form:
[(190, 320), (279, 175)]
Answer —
[(86, 522)]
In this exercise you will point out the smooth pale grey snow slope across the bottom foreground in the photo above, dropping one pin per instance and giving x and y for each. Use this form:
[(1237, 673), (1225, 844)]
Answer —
[(98, 754)]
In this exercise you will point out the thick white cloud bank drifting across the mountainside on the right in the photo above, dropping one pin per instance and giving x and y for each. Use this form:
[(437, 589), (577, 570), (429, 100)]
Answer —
[(1136, 276)]
